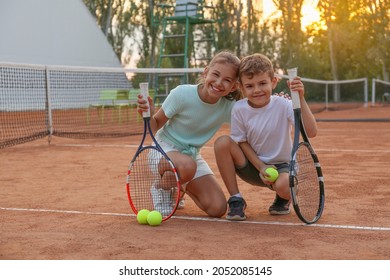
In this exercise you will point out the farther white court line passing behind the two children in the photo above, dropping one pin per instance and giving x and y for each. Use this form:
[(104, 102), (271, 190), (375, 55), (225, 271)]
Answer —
[(211, 147)]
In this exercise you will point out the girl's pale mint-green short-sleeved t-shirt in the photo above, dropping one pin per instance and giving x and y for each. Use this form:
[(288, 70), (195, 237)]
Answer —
[(192, 122)]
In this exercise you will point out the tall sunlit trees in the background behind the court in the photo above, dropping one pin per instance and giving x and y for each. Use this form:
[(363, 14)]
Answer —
[(354, 43)]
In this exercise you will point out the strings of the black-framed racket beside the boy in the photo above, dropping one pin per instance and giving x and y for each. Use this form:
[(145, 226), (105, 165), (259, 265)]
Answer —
[(307, 185)]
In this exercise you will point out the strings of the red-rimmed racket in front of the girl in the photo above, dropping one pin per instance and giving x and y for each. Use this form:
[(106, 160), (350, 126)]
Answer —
[(152, 183)]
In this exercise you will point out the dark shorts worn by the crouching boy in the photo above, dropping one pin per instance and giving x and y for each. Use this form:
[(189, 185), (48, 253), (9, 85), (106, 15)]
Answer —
[(250, 174)]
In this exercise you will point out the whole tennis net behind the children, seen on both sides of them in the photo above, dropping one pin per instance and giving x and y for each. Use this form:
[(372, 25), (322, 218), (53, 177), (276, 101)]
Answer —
[(38, 101)]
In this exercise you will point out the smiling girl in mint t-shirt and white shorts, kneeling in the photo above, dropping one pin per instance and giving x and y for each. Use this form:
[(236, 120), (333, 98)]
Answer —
[(188, 118)]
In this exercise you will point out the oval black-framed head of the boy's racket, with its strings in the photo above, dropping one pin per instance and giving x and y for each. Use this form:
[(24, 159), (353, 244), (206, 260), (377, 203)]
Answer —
[(306, 184)]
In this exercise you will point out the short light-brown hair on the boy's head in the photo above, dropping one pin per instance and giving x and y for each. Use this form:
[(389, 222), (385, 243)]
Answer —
[(254, 64)]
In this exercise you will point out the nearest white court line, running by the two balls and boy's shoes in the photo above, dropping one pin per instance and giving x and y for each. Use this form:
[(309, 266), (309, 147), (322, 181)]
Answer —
[(203, 219)]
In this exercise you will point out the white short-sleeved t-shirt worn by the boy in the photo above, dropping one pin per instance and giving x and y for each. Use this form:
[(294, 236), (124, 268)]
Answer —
[(267, 129)]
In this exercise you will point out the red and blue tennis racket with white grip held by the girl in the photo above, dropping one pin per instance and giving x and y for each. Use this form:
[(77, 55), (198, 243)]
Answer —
[(152, 180)]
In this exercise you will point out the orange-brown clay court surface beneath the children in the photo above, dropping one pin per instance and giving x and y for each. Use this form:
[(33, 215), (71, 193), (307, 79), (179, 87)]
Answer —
[(67, 200)]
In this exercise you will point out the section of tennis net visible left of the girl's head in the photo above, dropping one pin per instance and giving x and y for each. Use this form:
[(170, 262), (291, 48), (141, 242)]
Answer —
[(39, 101)]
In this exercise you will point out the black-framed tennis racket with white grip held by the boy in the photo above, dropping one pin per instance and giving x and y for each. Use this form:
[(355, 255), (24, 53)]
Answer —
[(305, 175)]
